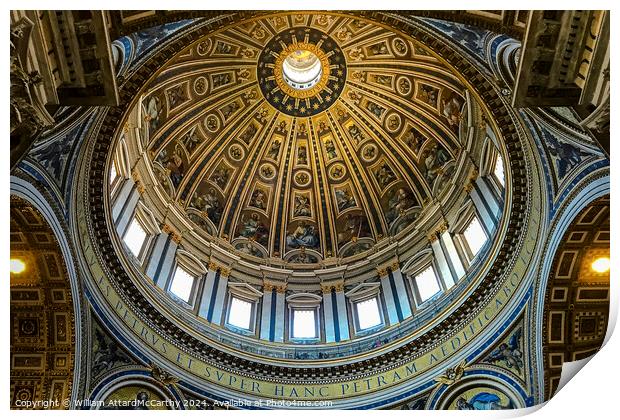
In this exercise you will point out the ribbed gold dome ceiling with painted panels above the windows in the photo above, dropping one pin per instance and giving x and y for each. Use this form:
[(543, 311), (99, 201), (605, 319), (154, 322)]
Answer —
[(304, 177)]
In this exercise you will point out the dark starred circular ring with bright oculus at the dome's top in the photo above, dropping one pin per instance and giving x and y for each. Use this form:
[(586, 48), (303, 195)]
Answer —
[(297, 75)]
